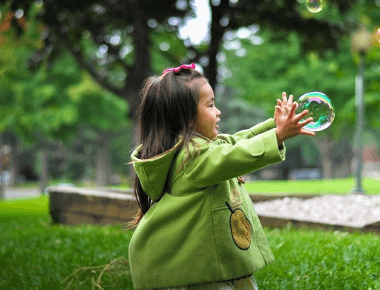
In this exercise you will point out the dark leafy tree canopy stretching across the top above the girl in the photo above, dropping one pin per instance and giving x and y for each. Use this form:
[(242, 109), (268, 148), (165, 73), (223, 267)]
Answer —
[(113, 37)]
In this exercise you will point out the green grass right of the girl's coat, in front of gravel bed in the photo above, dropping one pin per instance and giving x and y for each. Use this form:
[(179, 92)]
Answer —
[(317, 259)]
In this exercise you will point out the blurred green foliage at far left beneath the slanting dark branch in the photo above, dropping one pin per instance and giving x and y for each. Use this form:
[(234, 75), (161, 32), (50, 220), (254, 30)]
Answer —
[(52, 101)]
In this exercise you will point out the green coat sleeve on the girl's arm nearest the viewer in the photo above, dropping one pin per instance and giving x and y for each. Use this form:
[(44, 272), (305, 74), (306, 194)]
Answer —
[(219, 160)]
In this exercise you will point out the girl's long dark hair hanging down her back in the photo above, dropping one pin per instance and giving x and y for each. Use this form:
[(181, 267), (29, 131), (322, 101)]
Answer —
[(167, 110)]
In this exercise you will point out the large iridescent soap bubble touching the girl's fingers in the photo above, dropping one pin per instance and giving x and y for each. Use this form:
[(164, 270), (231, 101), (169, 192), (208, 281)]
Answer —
[(320, 109)]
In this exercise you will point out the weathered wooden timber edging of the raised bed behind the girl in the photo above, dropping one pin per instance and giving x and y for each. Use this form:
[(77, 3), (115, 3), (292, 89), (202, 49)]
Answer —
[(72, 206)]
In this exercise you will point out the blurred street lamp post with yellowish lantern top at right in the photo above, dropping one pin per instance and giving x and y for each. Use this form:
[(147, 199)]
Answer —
[(361, 42)]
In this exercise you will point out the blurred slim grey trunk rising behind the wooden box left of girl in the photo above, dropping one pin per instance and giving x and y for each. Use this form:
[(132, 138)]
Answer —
[(103, 170)]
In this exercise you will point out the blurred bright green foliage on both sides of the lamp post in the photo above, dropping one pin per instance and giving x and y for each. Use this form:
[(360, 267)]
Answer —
[(281, 63)]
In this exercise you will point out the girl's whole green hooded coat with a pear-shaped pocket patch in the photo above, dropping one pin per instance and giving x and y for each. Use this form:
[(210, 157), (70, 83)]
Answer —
[(203, 227)]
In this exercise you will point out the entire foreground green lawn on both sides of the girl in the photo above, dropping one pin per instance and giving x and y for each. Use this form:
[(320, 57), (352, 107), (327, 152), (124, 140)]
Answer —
[(34, 254)]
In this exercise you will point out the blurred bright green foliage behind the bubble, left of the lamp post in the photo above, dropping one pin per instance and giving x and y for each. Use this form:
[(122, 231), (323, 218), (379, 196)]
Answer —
[(280, 66)]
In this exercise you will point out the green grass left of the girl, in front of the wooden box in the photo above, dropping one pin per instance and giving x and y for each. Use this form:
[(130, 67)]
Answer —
[(34, 254)]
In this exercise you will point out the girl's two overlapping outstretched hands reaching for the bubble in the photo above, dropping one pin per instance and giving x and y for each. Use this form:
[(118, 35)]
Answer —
[(288, 123)]
